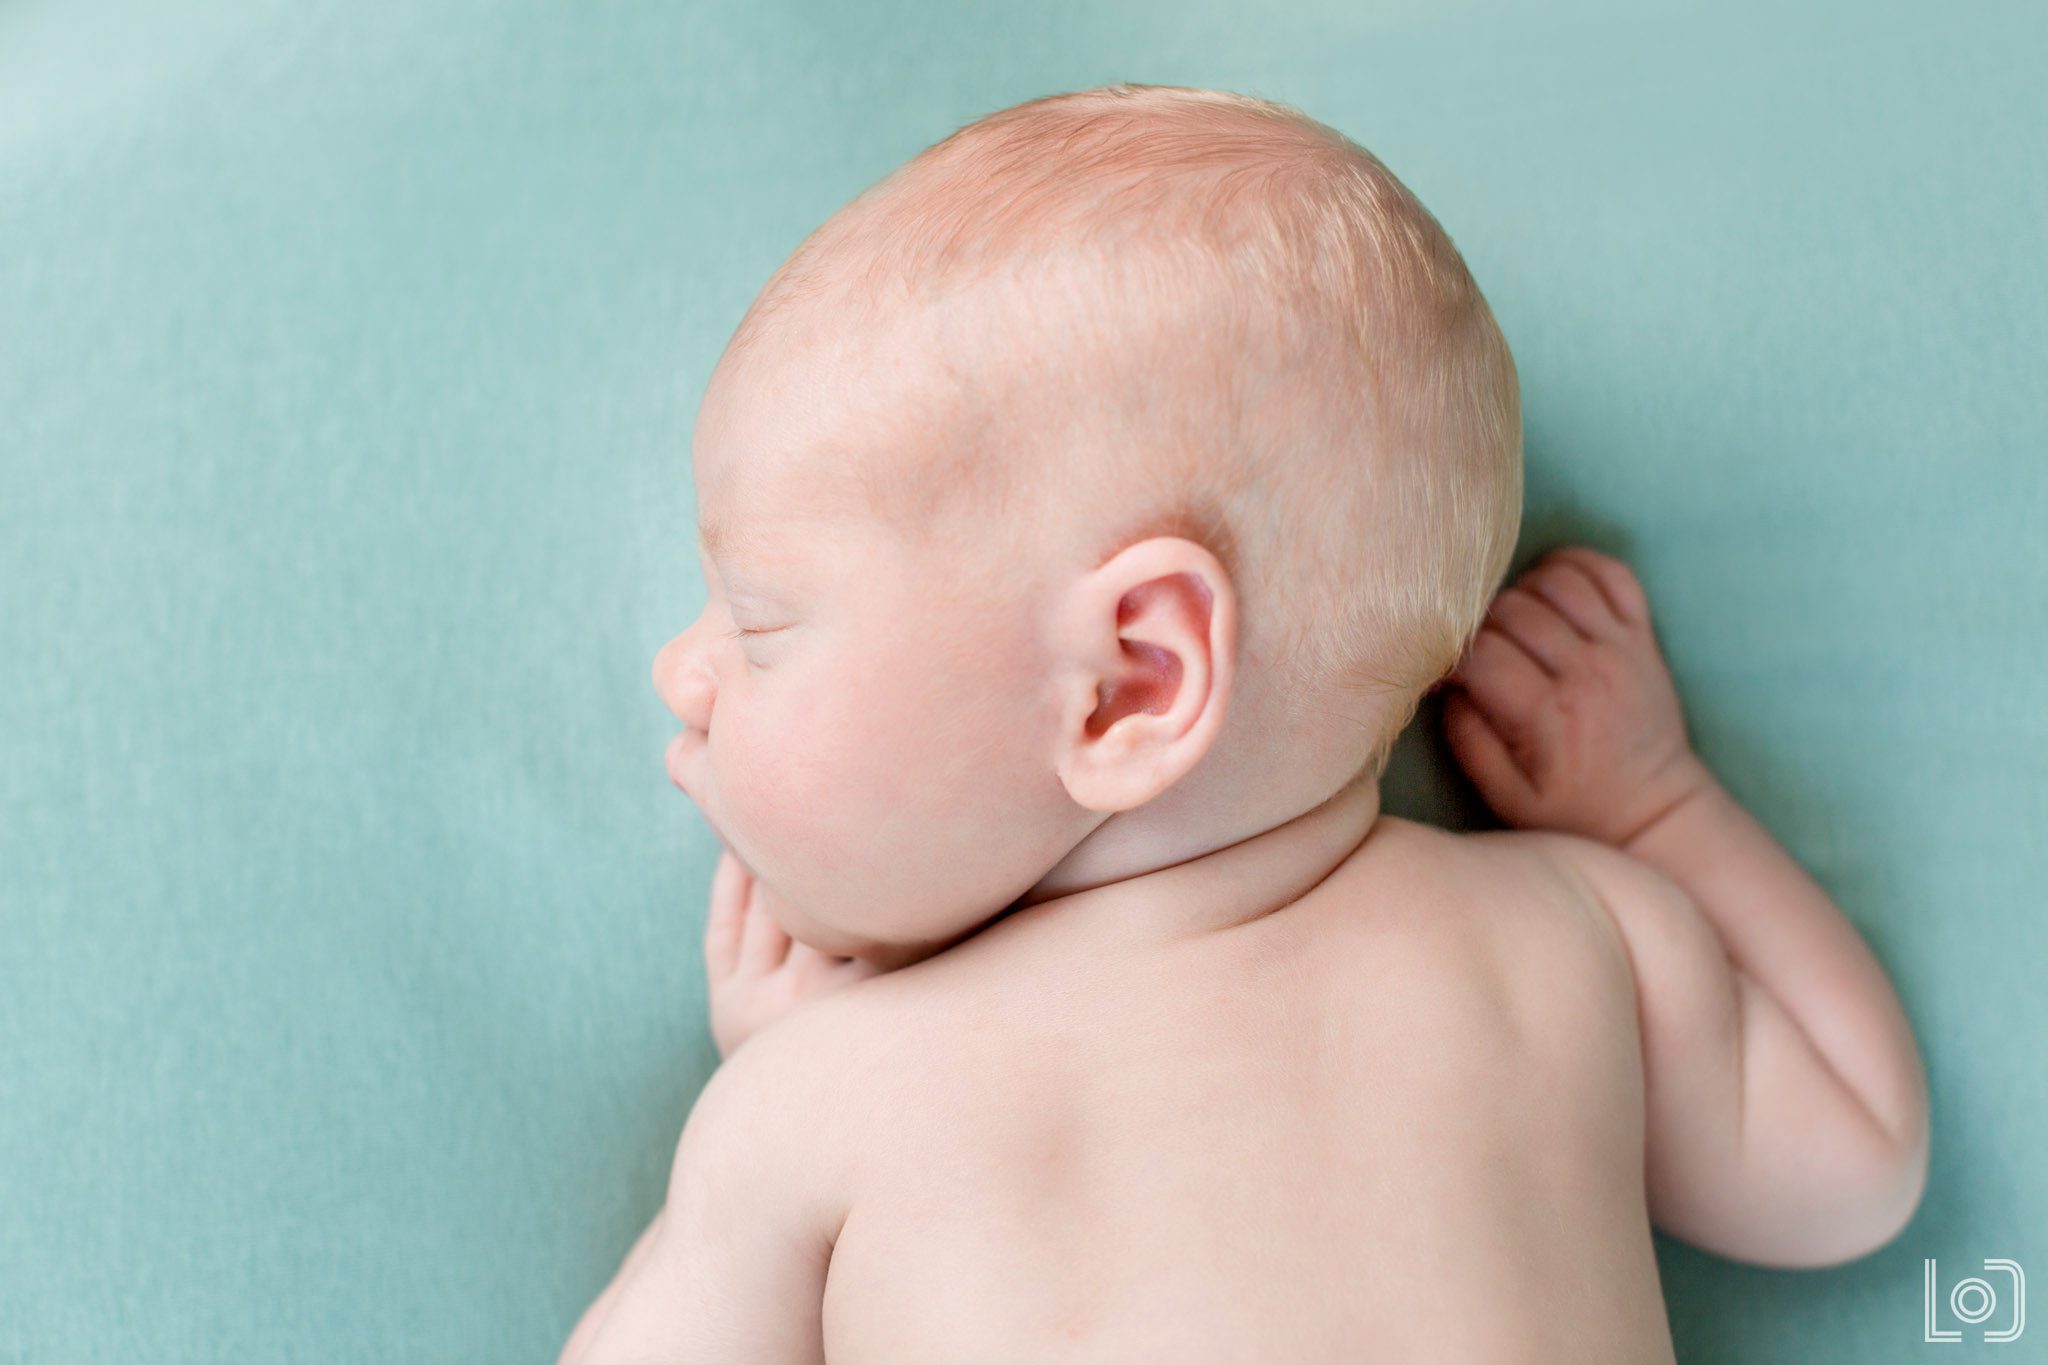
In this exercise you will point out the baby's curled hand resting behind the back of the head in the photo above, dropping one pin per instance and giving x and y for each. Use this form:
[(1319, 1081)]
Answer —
[(1564, 711)]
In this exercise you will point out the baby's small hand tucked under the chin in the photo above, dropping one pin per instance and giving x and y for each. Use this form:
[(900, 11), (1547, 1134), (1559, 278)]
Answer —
[(757, 973)]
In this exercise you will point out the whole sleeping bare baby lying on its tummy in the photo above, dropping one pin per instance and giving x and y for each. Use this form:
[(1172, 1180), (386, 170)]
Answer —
[(1084, 511)]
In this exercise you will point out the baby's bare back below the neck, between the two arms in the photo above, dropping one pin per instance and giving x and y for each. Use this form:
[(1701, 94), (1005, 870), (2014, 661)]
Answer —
[(1400, 1120)]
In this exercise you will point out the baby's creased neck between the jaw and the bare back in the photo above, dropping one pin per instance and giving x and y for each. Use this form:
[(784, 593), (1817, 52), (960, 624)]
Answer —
[(1228, 885)]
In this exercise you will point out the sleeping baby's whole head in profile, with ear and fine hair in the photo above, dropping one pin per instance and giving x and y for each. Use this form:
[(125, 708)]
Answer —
[(1119, 472)]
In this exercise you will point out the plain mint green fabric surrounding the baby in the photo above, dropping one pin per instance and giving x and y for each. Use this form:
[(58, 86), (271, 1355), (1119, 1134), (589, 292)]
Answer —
[(349, 930)]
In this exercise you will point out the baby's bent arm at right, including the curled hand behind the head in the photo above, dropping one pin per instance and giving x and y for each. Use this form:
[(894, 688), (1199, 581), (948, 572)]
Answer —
[(1787, 1106)]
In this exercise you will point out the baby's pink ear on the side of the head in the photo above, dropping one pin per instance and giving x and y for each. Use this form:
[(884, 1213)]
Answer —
[(1148, 650)]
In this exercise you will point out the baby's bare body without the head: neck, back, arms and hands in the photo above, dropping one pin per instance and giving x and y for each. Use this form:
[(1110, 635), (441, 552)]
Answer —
[(1351, 1090)]
